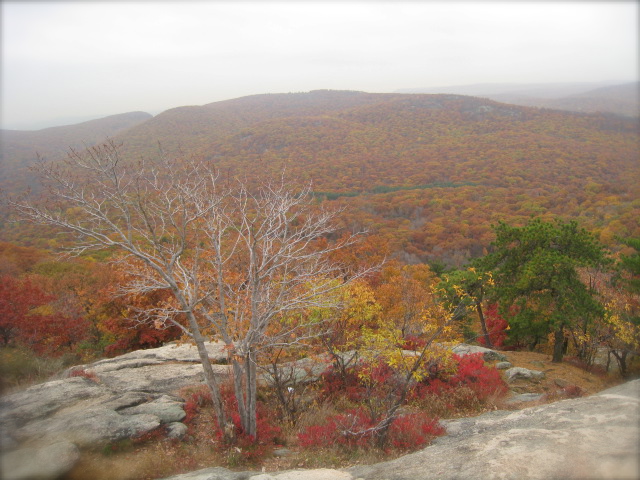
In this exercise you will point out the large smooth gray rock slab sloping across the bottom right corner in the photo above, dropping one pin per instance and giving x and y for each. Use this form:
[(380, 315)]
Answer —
[(590, 437)]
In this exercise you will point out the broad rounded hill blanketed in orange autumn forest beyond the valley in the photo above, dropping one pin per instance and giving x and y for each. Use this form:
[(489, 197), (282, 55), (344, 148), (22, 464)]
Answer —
[(429, 173)]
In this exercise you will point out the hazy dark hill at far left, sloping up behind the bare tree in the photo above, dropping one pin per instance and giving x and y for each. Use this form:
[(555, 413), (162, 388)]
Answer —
[(20, 148)]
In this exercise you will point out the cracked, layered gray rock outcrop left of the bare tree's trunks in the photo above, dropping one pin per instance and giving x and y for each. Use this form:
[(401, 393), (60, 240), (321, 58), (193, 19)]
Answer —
[(105, 401)]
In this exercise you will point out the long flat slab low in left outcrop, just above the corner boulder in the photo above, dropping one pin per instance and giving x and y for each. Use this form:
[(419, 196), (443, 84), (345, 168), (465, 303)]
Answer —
[(87, 427)]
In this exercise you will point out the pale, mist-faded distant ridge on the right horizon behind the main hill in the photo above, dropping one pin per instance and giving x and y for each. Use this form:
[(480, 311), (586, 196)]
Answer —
[(576, 97)]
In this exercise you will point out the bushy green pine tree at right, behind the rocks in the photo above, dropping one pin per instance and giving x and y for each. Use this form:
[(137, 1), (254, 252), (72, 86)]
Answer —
[(537, 282)]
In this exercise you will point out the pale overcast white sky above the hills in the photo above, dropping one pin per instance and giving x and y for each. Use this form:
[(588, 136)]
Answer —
[(75, 60)]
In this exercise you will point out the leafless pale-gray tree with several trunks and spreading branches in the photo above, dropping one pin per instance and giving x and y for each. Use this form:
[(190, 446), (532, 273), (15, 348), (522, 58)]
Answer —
[(237, 261)]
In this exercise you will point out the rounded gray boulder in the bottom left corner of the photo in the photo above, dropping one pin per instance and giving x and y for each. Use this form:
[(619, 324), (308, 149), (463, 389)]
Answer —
[(50, 462)]
